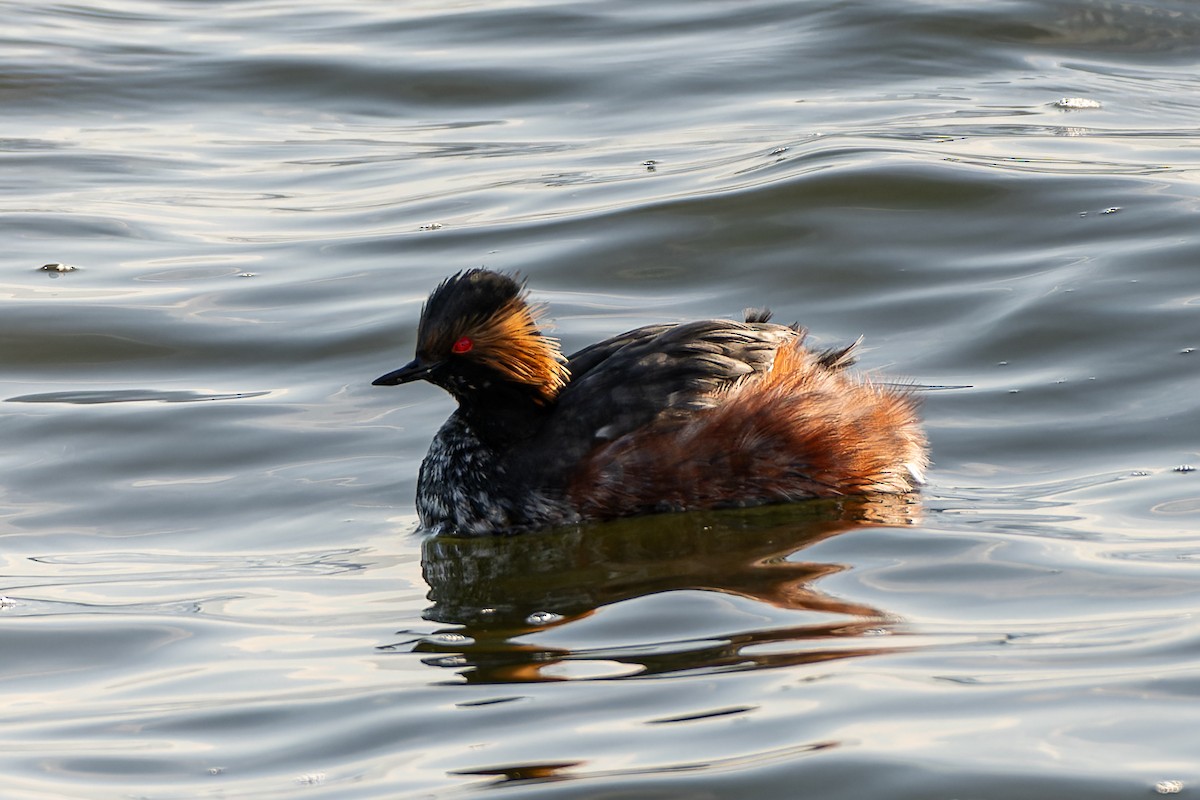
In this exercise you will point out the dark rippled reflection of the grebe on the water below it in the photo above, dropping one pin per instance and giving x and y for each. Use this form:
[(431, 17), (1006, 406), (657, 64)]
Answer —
[(502, 593)]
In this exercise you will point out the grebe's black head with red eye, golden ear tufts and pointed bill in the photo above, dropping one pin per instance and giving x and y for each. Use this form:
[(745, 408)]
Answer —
[(479, 334)]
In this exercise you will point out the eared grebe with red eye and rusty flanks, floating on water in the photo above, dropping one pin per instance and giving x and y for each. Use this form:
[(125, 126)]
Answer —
[(664, 418)]
